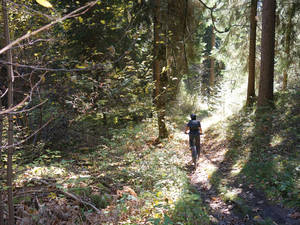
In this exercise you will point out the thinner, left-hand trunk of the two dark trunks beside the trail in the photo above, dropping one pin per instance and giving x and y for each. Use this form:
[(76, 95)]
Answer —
[(252, 55)]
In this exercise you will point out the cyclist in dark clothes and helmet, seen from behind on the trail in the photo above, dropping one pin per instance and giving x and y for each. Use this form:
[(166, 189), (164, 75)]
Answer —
[(195, 130)]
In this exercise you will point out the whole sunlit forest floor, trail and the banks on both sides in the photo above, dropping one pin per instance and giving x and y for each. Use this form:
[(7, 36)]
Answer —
[(243, 176)]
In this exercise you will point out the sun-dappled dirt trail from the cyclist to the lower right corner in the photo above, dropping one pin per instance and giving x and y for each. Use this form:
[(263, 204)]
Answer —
[(229, 201)]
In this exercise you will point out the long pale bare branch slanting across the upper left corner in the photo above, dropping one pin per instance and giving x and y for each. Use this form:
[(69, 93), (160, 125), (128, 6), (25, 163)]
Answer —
[(70, 15)]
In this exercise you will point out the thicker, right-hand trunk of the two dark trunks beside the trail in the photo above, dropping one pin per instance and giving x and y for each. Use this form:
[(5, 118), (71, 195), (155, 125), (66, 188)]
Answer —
[(265, 95)]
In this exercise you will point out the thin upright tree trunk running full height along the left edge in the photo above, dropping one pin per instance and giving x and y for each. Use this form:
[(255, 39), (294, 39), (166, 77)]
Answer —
[(10, 119)]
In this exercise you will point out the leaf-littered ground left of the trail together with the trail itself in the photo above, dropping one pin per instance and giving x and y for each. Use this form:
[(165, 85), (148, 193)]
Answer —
[(149, 185)]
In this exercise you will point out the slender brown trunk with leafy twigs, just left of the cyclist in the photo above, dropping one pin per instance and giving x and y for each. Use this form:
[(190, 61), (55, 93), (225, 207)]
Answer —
[(159, 56)]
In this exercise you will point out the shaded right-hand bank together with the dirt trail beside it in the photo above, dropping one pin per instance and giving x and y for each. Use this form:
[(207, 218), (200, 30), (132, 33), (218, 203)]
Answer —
[(249, 172)]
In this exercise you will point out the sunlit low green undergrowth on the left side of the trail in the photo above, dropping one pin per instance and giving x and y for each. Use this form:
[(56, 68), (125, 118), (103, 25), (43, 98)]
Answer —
[(130, 177)]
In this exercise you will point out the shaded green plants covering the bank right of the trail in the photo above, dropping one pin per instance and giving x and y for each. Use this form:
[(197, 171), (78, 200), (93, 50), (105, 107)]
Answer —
[(272, 139)]
